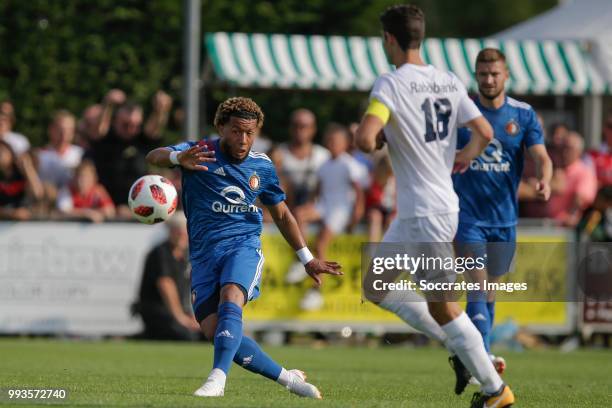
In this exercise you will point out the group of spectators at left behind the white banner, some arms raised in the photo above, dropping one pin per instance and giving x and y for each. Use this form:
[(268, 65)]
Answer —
[(86, 168)]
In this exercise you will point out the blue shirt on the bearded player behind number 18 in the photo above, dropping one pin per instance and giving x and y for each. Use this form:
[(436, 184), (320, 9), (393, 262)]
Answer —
[(487, 190)]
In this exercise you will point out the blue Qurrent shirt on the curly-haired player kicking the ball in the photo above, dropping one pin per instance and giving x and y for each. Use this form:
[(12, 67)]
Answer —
[(220, 203)]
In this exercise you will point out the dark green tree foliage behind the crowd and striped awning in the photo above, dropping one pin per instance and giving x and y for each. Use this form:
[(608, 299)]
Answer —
[(67, 54)]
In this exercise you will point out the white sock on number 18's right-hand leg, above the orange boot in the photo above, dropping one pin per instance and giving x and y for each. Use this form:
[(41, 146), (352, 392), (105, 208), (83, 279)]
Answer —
[(466, 341)]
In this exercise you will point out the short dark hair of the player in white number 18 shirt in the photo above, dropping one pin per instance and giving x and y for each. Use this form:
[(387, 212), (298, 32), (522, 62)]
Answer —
[(406, 23)]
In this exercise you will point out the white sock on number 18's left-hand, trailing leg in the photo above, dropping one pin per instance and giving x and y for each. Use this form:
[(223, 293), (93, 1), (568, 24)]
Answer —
[(412, 309)]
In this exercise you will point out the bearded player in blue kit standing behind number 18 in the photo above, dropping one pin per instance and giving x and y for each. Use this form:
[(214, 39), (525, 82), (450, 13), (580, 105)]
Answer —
[(488, 189)]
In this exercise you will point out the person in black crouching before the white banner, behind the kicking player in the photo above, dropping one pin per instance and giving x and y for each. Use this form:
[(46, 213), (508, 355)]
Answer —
[(165, 292)]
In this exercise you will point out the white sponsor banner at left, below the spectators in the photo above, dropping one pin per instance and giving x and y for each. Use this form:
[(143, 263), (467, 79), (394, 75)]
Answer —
[(72, 278)]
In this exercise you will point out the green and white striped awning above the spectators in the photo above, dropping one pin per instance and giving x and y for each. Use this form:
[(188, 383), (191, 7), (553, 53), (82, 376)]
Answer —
[(345, 63)]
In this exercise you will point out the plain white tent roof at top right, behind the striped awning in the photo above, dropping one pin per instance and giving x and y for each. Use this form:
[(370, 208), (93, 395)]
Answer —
[(586, 20)]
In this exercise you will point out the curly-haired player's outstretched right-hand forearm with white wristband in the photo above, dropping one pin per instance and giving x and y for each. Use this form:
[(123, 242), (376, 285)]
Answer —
[(288, 226)]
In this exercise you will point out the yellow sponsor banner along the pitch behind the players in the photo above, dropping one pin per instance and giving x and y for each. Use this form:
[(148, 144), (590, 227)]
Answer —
[(344, 305)]
